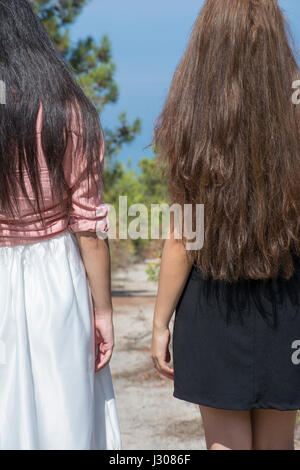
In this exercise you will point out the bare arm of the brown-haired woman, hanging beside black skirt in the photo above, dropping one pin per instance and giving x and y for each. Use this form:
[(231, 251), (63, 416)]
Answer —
[(174, 272)]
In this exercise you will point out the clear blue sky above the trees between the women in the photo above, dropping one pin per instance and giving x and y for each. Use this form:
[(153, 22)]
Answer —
[(148, 39)]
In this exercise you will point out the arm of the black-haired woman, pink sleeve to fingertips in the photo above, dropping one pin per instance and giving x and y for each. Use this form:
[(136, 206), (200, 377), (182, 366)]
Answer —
[(87, 215)]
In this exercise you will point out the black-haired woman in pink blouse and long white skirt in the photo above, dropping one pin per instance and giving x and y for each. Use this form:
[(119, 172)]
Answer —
[(56, 330)]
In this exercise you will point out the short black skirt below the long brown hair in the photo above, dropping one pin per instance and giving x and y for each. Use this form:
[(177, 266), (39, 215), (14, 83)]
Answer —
[(237, 346)]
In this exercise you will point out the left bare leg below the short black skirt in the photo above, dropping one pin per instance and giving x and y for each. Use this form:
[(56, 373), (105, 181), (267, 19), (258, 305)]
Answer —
[(226, 429)]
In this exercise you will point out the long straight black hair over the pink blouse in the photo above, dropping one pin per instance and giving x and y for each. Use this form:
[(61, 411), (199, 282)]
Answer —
[(34, 74)]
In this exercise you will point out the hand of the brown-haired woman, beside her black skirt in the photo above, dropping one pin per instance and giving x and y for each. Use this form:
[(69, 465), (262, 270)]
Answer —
[(160, 351)]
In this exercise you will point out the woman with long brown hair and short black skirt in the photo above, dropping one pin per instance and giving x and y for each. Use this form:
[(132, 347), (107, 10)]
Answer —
[(229, 135)]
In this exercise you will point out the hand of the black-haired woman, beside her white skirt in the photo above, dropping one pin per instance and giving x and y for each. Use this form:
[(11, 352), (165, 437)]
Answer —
[(104, 339)]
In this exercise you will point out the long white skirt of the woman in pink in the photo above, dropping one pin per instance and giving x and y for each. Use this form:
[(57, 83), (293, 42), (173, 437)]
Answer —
[(50, 396)]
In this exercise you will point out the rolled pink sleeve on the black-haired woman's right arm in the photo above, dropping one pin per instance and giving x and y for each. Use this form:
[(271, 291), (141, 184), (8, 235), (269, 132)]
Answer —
[(87, 213)]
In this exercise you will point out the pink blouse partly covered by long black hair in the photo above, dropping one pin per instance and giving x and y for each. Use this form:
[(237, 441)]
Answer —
[(84, 214)]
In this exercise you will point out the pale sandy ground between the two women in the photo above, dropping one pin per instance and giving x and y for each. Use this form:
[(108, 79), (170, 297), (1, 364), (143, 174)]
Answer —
[(150, 417)]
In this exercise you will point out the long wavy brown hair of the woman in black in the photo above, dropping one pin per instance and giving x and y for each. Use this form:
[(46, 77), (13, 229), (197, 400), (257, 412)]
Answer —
[(229, 135)]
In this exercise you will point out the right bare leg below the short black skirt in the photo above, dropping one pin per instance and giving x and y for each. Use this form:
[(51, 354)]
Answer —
[(273, 429)]
